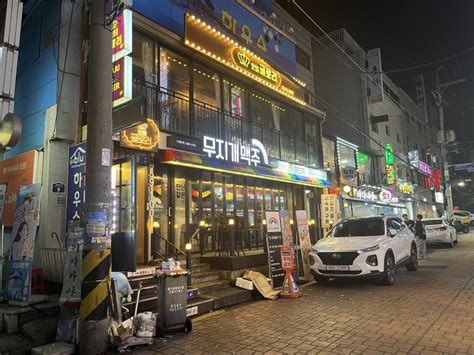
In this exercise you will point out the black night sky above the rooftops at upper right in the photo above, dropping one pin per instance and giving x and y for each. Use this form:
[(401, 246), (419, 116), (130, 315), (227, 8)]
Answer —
[(410, 32)]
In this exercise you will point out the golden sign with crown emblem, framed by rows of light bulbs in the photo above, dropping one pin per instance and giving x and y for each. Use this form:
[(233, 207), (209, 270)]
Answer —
[(215, 44)]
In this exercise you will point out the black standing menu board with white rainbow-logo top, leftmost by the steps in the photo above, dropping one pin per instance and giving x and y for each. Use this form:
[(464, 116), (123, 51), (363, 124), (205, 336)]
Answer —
[(274, 243)]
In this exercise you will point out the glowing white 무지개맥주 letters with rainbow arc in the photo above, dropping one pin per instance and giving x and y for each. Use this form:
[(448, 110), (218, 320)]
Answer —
[(254, 154)]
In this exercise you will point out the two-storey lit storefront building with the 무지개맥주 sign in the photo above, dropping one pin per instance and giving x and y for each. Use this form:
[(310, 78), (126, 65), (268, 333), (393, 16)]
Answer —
[(228, 135)]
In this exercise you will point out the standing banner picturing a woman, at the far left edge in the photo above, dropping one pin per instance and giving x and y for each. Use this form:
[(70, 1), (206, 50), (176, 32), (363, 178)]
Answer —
[(21, 247)]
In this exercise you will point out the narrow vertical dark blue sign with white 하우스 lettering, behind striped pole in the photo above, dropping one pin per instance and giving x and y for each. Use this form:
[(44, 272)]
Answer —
[(76, 181)]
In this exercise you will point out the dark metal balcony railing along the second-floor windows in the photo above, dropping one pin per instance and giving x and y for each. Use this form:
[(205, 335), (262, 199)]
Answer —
[(176, 114)]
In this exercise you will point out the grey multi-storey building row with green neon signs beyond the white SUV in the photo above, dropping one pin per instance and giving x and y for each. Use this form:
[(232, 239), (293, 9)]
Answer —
[(372, 129)]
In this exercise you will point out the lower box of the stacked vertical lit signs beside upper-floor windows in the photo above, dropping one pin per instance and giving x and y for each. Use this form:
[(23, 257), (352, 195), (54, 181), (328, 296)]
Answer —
[(122, 85)]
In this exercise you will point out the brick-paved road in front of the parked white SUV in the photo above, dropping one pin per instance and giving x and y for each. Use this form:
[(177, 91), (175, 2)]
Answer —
[(428, 311)]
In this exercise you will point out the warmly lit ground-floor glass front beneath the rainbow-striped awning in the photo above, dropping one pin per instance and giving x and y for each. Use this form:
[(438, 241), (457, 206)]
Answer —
[(166, 206)]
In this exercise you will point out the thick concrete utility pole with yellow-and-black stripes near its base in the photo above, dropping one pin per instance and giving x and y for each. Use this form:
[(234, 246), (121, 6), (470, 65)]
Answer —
[(96, 257)]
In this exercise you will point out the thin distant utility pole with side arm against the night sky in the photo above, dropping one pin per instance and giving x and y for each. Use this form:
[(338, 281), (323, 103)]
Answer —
[(439, 102)]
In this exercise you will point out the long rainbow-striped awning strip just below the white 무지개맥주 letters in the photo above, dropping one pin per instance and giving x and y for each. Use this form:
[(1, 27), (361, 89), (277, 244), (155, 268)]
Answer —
[(202, 162)]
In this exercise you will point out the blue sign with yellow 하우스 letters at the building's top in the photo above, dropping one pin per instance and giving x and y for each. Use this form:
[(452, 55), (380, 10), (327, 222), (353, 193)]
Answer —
[(234, 18)]
